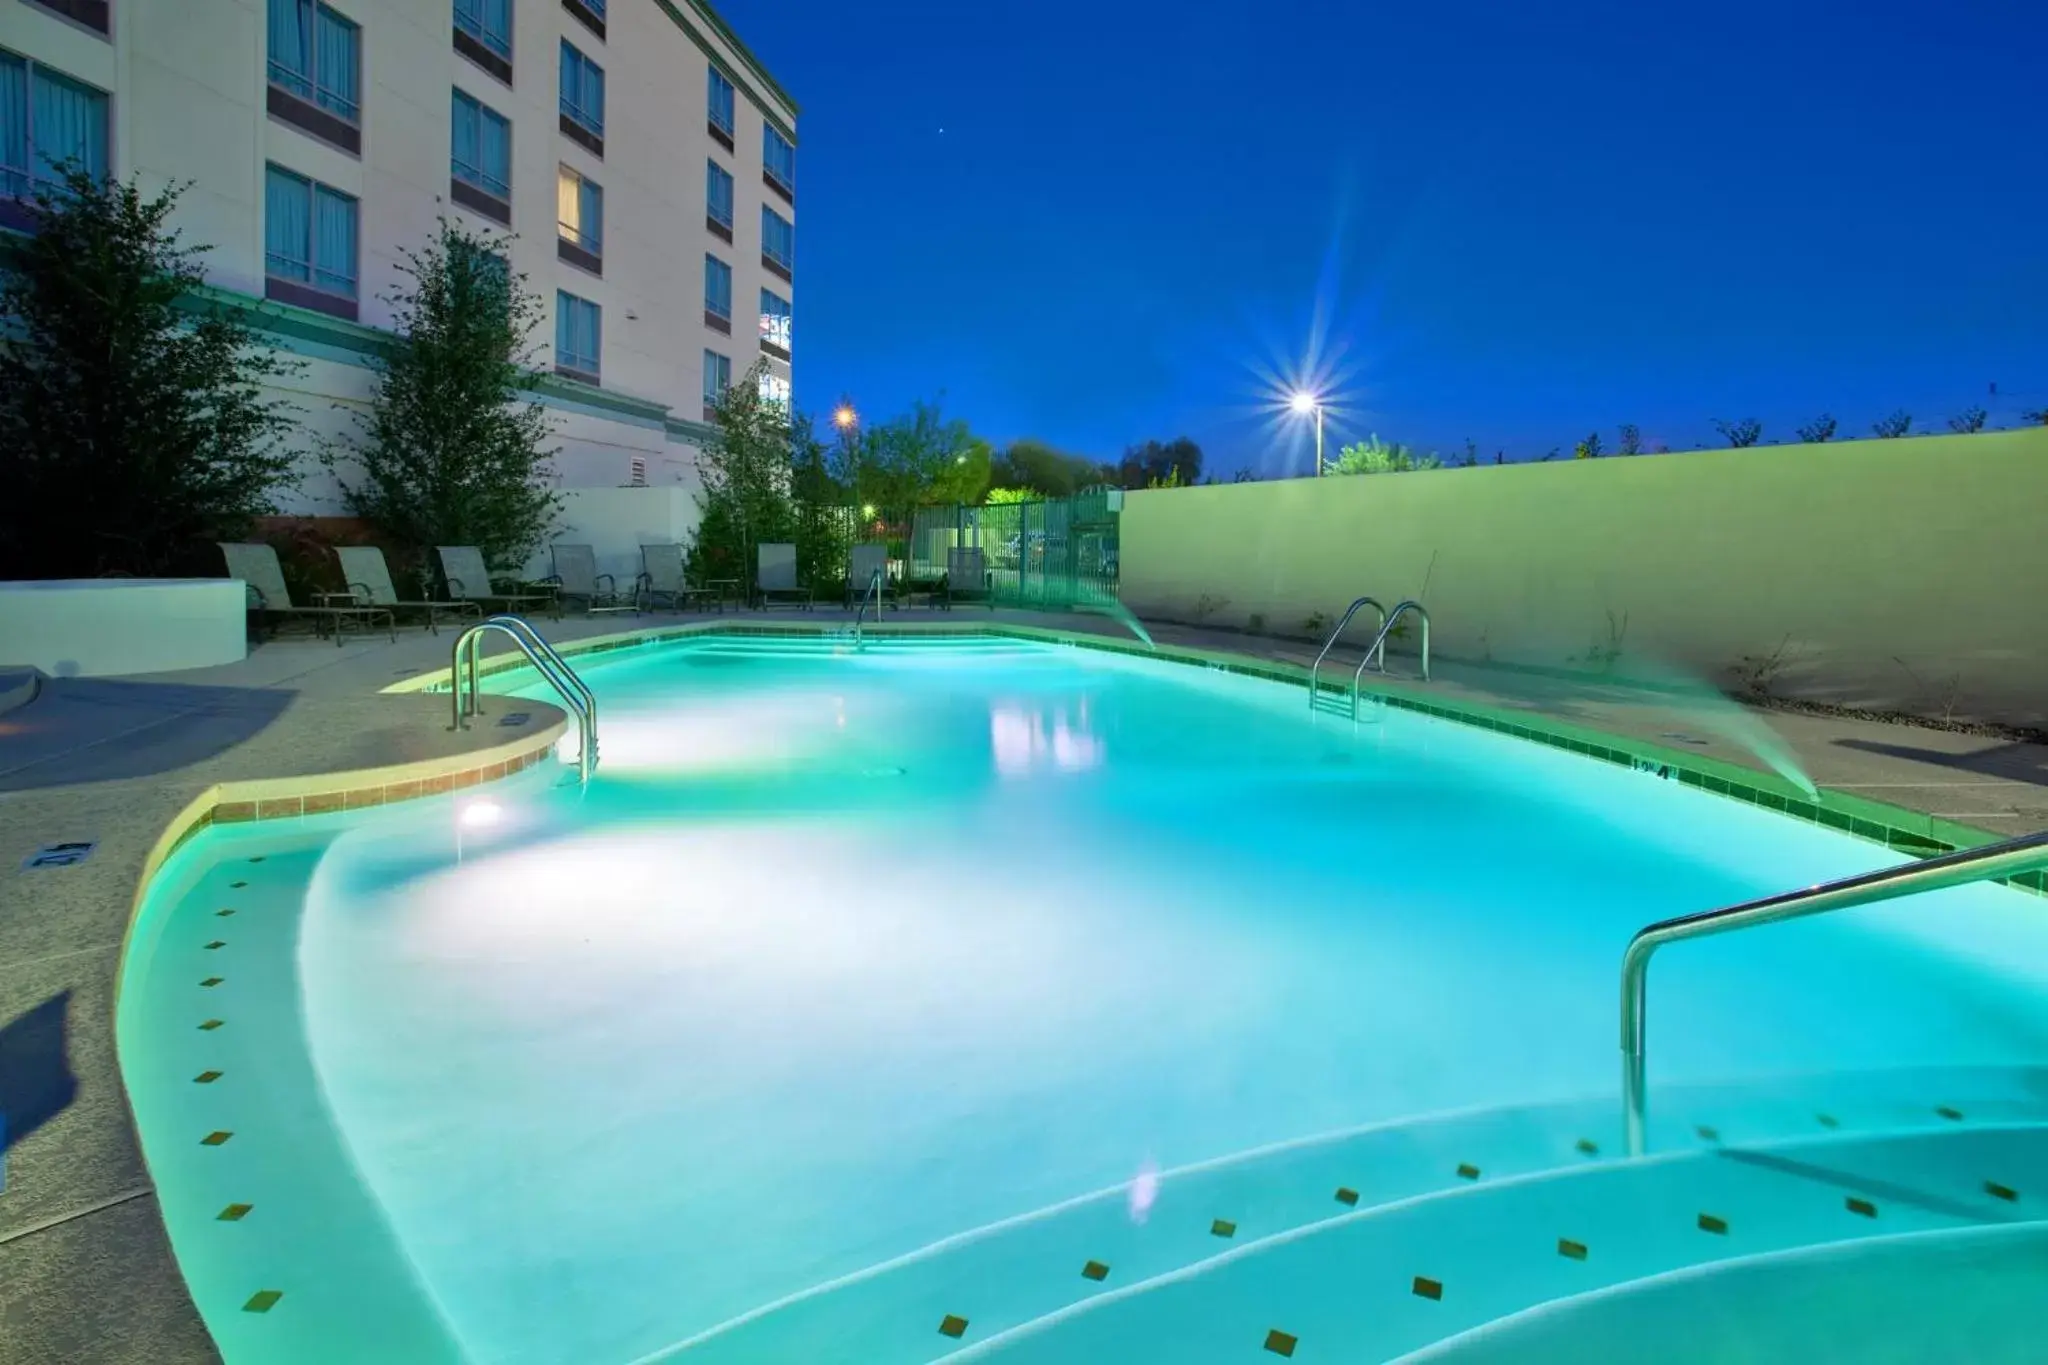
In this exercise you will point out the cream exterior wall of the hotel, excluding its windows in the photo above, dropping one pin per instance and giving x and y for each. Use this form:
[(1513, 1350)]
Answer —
[(189, 105)]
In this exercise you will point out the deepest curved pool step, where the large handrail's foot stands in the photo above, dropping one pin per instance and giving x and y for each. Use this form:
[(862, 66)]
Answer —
[(1050, 1262)]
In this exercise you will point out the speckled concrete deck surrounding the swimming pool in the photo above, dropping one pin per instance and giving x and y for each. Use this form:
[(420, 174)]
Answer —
[(85, 1264)]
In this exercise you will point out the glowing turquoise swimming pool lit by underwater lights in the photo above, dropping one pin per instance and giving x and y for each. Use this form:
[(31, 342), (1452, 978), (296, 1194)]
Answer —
[(867, 1006)]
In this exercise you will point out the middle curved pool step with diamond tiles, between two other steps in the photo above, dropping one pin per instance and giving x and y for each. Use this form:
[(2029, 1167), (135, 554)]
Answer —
[(1388, 1282)]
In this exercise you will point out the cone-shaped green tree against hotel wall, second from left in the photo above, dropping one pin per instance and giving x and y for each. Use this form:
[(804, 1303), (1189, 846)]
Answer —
[(454, 447)]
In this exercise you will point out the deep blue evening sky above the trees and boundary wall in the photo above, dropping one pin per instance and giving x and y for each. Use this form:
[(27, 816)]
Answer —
[(1494, 220)]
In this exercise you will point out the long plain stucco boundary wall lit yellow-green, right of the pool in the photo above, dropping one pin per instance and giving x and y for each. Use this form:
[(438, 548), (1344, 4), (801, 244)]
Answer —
[(1881, 574)]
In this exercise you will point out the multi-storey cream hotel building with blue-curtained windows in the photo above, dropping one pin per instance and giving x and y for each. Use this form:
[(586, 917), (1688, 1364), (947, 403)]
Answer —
[(640, 152)]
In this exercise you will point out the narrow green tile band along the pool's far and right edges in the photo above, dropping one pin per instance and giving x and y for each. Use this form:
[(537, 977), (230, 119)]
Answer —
[(1895, 828)]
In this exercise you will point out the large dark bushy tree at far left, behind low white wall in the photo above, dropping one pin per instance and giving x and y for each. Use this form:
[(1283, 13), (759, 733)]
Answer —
[(134, 421)]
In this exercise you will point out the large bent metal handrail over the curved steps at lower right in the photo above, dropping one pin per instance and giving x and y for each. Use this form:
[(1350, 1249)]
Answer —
[(1961, 869)]
